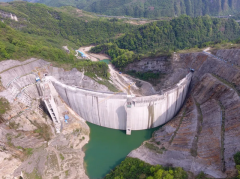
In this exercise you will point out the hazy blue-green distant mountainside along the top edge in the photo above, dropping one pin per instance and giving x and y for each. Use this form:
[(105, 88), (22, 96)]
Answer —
[(152, 8)]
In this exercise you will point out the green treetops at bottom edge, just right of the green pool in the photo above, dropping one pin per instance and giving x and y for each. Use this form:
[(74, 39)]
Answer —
[(134, 168)]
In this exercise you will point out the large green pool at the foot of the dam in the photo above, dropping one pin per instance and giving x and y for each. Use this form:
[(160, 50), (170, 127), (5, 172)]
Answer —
[(108, 147)]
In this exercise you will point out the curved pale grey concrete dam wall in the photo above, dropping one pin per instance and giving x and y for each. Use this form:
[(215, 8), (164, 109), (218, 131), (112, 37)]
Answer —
[(121, 111)]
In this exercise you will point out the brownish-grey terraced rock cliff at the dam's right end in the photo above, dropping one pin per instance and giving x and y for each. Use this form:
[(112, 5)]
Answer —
[(204, 136)]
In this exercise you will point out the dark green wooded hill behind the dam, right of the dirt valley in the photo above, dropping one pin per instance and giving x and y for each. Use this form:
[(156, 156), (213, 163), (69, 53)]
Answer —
[(168, 36)]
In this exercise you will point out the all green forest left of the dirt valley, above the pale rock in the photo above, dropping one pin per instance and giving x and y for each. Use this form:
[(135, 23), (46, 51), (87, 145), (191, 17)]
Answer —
[(42, 31)]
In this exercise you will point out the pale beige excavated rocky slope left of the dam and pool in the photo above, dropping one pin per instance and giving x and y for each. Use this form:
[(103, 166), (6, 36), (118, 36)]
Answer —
[(29, 146)]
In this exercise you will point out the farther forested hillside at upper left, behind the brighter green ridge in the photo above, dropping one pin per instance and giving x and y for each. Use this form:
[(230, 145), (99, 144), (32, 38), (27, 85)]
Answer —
[(54, 22)]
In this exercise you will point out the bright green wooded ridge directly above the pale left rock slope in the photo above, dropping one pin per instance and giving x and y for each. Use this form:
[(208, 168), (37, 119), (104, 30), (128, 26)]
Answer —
[(18, 45)]
